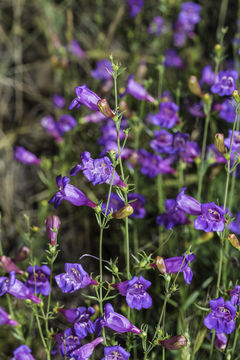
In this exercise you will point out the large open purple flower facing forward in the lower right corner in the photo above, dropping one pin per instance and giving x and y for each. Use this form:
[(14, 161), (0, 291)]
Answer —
[(222, 316)]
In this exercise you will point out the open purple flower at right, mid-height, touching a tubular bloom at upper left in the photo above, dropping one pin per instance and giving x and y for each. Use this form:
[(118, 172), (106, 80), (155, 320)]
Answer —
[(211, 218)]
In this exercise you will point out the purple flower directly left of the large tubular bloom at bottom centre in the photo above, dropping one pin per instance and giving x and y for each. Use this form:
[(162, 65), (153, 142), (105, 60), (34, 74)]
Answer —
[(80, 317)]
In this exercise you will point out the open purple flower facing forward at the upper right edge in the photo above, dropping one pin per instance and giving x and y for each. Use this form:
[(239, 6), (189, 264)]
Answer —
[(225, 83)]
